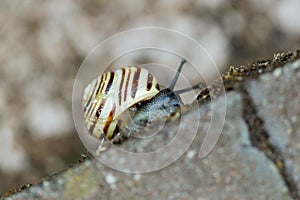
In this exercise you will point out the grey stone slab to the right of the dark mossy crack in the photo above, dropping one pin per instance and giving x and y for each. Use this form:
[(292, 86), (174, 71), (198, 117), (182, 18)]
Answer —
[(276, 96)]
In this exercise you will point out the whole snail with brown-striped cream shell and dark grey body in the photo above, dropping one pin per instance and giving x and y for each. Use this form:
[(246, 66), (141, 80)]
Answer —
[(131, 89)]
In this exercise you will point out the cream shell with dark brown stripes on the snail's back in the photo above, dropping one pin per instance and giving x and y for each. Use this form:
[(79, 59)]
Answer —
[(112, 93)]
